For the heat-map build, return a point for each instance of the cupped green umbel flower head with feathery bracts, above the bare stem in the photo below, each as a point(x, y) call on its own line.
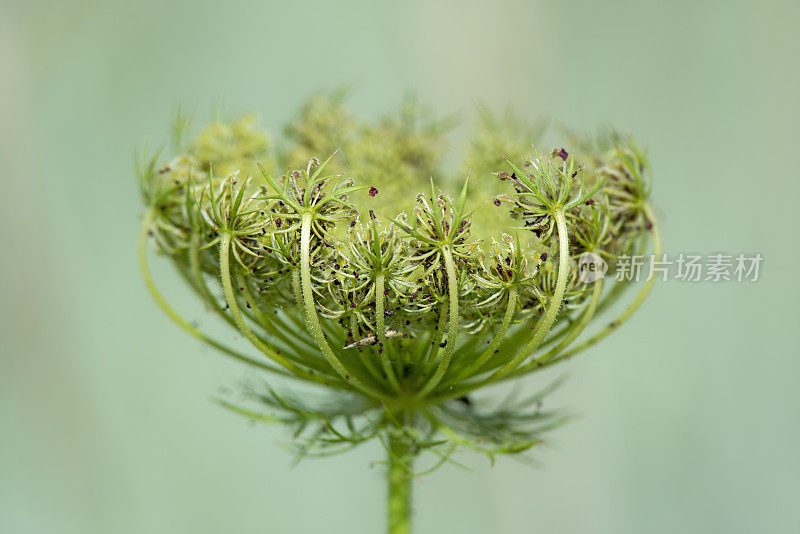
point(321, 270)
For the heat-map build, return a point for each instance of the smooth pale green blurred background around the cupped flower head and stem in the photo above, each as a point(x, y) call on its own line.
point(688, 416)
